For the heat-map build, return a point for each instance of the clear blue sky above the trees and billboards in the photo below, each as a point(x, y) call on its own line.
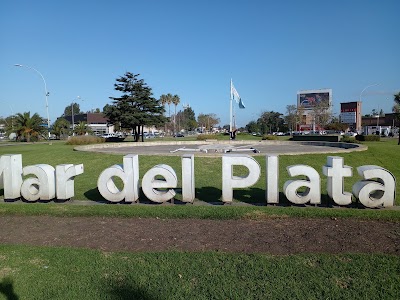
point(271, 50)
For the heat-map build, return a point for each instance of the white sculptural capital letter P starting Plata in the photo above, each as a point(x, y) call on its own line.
point(229, 181)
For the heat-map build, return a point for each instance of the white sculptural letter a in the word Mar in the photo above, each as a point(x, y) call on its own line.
point(41, 187)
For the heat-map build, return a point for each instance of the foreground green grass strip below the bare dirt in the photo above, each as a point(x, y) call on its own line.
point(64, 273)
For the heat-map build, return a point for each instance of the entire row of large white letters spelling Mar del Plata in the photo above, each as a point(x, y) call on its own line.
point(376, 189)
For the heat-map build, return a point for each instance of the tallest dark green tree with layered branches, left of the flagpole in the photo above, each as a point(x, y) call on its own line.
point(136, 107)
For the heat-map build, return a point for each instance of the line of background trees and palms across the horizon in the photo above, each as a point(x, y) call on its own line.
point(136, 108)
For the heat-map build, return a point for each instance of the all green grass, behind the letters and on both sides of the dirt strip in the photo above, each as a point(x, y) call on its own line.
point(66, 273)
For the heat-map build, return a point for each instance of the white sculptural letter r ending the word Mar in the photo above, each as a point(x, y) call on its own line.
point(65, 175)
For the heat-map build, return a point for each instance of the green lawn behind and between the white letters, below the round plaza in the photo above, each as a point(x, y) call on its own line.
point(208, 171)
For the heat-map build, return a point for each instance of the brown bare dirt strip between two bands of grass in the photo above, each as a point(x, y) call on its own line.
point(278, 236)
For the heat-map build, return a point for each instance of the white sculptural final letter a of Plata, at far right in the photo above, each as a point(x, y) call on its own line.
point(378, 189)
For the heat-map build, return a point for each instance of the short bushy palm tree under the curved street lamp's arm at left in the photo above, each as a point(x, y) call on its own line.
point(28, 126)
